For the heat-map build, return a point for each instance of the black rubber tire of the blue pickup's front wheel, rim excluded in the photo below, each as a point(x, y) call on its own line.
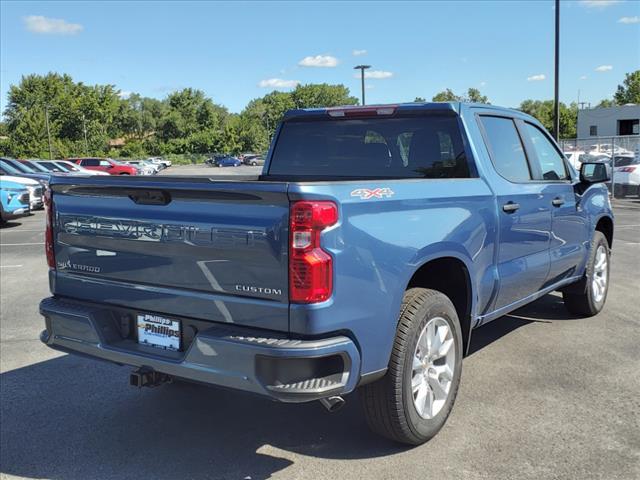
point(580, 299)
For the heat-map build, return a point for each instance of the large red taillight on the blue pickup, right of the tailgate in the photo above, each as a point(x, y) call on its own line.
point(310, 267)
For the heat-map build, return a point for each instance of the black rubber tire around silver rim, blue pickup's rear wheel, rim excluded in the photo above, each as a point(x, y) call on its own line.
point(388, 403)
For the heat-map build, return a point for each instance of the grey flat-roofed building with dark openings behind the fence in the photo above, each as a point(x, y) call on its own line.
point(609, 122)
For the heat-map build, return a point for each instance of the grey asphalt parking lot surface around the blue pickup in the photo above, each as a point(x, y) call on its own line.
point(543, 395)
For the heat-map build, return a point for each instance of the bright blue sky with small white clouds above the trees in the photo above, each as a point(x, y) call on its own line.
point(238, 51)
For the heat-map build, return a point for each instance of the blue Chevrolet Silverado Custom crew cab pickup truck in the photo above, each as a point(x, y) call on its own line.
point(374, 242)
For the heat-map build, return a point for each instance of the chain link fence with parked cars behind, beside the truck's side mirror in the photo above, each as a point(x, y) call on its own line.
point(620, 152)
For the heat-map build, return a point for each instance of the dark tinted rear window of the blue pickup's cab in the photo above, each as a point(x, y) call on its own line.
point(403, 147)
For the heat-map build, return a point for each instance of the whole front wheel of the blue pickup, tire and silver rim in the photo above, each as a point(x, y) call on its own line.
point(588, 297)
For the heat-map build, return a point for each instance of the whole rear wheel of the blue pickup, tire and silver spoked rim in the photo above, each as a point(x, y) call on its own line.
point(411, 403)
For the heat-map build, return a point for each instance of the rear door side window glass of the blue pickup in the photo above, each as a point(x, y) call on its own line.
point(506, 148)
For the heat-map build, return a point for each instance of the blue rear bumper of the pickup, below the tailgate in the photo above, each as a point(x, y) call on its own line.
point(260, 362)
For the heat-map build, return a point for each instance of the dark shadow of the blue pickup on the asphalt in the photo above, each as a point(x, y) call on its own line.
point(71, 418)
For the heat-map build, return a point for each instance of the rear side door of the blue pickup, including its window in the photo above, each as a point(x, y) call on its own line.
point(523, 211)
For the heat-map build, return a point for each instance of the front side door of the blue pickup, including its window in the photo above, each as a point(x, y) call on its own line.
point(567, 246)
